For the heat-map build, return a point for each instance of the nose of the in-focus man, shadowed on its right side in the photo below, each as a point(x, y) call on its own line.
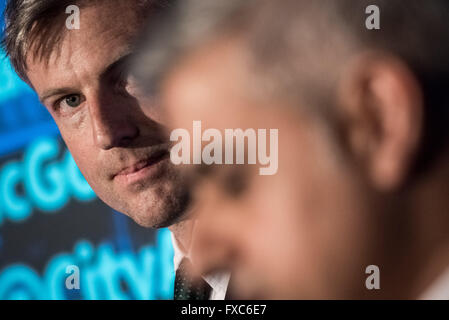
point(112, 124)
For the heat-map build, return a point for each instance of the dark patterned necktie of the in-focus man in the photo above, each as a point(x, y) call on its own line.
point(188, 289)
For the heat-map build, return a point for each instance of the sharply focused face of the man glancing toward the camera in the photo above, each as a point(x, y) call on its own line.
point(114, 134)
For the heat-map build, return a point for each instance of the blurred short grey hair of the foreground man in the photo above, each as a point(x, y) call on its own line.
point(299, 46)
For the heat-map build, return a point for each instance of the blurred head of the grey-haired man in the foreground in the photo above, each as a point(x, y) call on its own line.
point(362, 117)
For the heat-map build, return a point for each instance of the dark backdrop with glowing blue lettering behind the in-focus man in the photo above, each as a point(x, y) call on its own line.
point(50, 218)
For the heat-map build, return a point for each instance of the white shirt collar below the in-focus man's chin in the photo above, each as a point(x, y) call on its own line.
point(218, 281)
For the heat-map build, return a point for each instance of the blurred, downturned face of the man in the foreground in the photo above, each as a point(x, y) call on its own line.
point(300, 233)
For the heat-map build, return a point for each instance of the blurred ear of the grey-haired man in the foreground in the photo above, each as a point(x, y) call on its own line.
point(382, 102)
